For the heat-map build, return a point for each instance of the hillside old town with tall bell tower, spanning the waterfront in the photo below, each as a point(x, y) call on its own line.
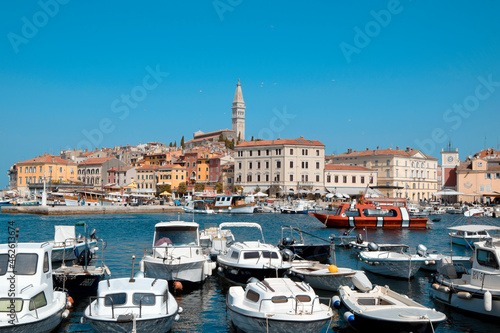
point(224, 161)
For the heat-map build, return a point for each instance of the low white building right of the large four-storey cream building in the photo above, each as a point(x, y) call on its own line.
point(350, 179)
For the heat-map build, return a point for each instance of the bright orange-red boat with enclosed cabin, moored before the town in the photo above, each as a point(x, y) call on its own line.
point(372, 214)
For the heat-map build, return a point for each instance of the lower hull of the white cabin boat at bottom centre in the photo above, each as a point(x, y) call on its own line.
point(251, 324)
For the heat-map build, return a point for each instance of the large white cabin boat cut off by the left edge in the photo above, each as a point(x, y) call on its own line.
point(27, 297)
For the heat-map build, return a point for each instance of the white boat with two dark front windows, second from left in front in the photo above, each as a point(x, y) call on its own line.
point(132, 305)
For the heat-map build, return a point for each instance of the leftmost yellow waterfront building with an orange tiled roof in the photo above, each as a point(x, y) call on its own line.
point(47, 167)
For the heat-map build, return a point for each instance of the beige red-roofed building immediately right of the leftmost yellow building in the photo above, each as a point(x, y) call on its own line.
point(94, 171)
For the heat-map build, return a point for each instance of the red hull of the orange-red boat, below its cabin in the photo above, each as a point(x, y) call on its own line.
point(338, 221)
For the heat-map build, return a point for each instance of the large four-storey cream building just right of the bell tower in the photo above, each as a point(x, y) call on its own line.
point(280, 165)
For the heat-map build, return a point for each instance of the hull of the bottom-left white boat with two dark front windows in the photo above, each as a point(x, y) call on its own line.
point(153, 325)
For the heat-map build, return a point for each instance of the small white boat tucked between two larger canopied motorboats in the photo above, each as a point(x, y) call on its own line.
point(216, 239)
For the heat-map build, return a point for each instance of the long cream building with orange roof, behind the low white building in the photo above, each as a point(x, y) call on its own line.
point(401, 173)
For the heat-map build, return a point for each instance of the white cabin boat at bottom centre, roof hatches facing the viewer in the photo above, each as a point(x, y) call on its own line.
point(277, 305)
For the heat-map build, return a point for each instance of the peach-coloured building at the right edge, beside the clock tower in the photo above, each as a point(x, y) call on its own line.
point(479, 180)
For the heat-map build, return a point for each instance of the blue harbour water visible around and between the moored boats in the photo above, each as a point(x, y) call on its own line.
point(204, 307)
